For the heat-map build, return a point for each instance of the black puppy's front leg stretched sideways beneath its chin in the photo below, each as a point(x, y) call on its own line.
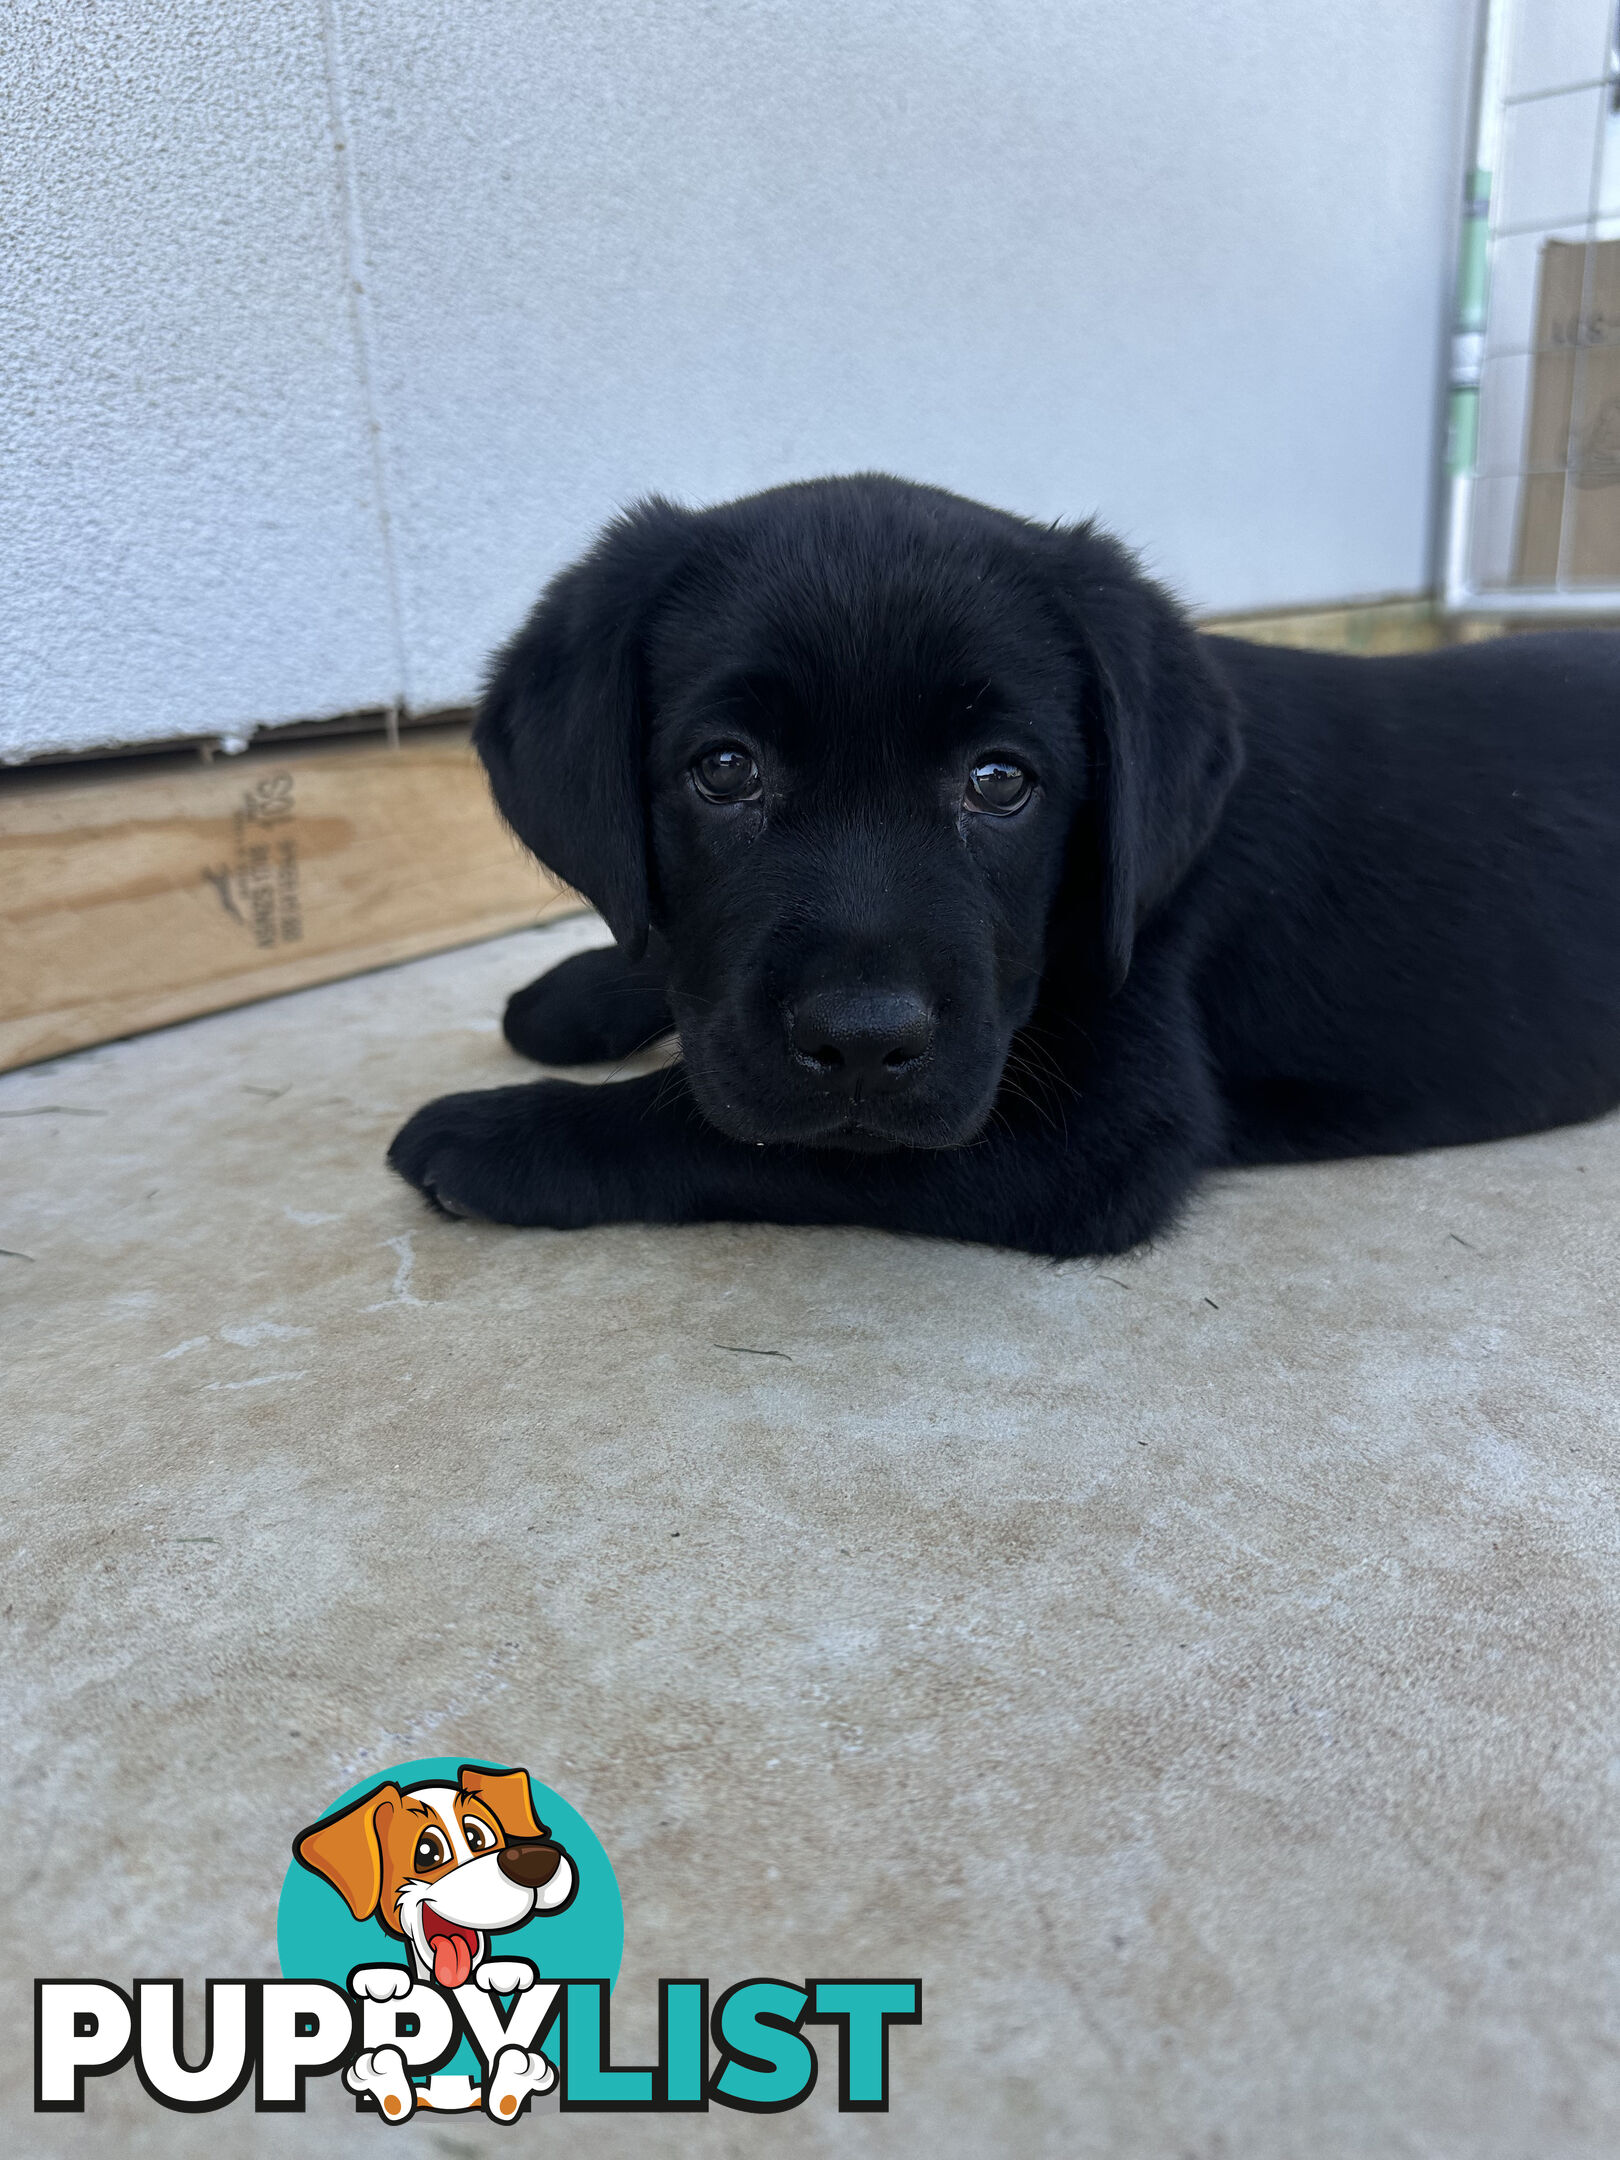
point(569, 1157)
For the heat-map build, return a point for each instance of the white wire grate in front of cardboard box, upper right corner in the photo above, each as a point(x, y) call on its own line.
point(1533, 450)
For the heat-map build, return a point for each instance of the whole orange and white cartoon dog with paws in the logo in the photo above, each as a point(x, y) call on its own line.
point(444, 1867)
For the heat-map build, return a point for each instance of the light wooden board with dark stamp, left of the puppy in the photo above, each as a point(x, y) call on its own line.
point(148, 891)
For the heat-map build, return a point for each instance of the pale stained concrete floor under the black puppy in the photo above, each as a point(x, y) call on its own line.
point(1200, 1669)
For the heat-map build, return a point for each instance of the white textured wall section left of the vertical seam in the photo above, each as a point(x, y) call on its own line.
point(189, 535)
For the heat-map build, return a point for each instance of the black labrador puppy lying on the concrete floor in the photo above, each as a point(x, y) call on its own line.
point(995, 902)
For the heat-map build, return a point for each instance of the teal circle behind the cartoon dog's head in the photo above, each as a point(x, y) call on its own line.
point(319, 1939)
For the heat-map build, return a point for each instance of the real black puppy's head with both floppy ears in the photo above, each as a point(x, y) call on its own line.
point(843, 746)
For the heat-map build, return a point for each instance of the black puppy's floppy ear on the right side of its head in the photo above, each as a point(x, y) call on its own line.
point(1163, 733)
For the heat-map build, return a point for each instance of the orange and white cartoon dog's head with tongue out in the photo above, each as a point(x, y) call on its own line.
point(444, 1865)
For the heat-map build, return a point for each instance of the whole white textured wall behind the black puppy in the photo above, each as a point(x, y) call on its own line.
point(1174, 262)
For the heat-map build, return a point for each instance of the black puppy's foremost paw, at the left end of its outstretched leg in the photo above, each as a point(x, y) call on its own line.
point(511, 1155)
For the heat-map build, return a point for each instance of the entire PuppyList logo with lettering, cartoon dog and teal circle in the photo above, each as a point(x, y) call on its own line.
point(450, 1939)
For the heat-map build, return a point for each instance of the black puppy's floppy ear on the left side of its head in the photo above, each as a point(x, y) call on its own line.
point(561, 727)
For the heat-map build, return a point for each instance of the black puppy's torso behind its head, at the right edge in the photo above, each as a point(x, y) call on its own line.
point(1409, 923)
